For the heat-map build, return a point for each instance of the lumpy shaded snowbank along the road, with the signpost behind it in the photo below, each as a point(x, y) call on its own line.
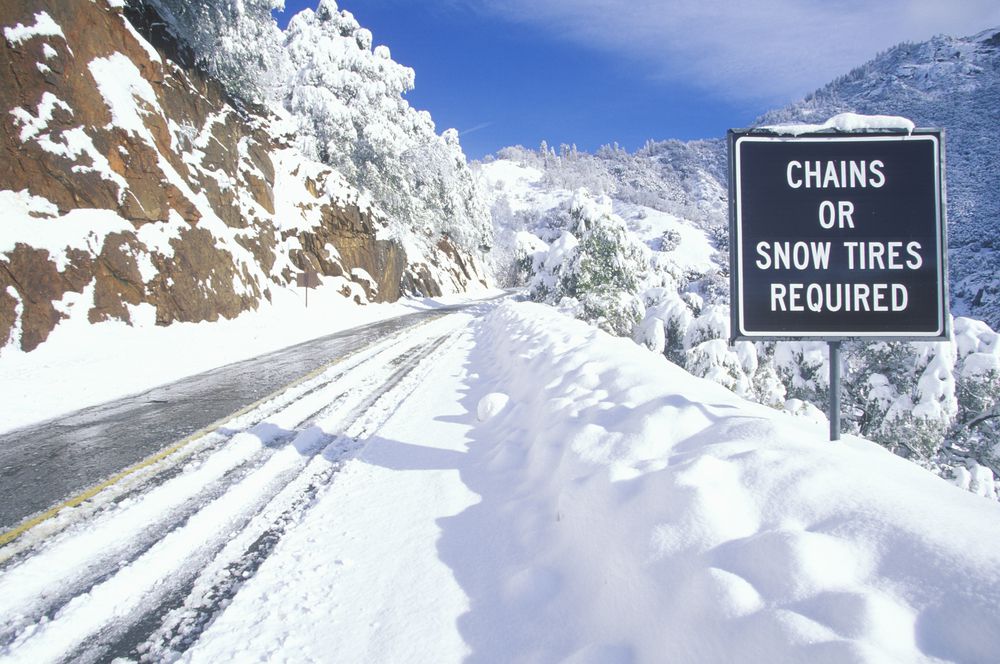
point(648, 515)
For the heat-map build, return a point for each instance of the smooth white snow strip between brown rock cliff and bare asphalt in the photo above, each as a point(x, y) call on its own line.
point(82, 364)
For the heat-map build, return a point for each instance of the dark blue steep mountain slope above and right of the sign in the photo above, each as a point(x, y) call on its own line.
point(952, 83)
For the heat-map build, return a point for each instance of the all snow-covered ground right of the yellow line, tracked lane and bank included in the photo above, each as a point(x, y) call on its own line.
point(517, 488)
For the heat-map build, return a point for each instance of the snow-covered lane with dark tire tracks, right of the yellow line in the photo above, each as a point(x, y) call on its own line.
point(148, 562)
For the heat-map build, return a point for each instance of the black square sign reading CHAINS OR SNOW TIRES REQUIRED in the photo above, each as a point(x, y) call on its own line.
point(837, 235)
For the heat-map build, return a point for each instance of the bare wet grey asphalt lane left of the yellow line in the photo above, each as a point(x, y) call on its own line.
point(46, 463)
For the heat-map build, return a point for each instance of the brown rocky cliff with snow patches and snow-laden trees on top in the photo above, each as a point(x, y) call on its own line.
point(138, 188)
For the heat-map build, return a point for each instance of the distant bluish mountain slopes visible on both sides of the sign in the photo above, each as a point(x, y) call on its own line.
point(947, 82)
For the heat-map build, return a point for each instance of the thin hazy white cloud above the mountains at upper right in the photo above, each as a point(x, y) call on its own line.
point(759, 50)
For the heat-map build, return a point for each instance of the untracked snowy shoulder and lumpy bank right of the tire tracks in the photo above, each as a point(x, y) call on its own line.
point(615, 509)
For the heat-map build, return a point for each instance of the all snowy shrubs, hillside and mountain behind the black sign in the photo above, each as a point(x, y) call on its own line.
point(934, 403)
